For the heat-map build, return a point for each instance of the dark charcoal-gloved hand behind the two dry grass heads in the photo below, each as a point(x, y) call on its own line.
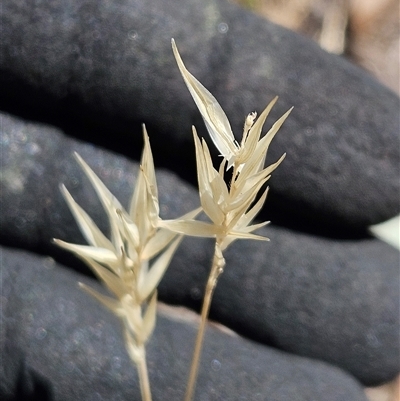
point(321, 291)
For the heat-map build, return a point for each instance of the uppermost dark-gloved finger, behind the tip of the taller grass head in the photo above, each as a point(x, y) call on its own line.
point(108, 67)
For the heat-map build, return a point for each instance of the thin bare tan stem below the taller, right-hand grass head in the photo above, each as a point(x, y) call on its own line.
point(216, 270)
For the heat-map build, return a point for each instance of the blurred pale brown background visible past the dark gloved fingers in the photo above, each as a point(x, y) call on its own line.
point(367, 33)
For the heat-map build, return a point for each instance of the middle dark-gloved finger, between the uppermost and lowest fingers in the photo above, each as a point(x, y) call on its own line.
point(335, 300)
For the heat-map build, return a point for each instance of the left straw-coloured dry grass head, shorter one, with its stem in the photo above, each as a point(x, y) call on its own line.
point(122, 263)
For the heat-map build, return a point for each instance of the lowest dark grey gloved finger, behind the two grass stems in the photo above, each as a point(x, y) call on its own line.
point(59, 344)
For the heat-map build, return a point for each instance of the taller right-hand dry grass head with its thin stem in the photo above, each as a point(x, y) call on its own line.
point(230, 207)
